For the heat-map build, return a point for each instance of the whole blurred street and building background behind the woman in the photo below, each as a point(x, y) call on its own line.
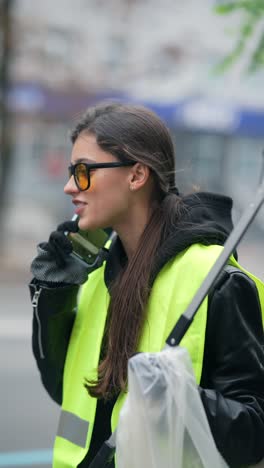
point(199, 64)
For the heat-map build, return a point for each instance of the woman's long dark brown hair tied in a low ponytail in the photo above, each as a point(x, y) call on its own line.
point(132, 133)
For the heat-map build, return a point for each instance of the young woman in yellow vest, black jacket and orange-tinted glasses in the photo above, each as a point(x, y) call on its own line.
point(122, 176)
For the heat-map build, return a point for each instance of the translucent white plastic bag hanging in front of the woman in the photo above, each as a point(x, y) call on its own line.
point(163, 423)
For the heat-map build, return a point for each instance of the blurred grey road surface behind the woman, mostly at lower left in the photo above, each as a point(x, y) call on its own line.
point(28, 415)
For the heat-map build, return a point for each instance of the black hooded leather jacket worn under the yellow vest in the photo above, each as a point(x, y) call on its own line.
point(232, 383)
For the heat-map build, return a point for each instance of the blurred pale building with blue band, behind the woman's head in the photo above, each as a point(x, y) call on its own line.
point(67, 55)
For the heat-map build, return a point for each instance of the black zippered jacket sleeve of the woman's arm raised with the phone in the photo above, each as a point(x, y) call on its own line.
point(53, 318)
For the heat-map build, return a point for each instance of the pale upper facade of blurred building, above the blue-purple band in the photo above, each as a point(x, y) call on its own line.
point(150, 48)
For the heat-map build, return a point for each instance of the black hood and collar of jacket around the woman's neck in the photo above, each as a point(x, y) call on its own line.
point(207, 221)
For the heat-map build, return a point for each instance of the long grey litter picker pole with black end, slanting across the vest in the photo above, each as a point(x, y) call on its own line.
point(107, 450)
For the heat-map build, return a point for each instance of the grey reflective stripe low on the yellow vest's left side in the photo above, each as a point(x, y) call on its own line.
point(73, 428)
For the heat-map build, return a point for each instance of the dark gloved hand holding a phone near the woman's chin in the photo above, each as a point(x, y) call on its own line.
point(54, 264)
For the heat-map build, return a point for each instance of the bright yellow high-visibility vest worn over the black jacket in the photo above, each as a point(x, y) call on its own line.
point(172, 291)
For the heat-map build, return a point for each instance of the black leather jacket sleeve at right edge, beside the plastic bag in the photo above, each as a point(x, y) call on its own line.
point(232, 384)
